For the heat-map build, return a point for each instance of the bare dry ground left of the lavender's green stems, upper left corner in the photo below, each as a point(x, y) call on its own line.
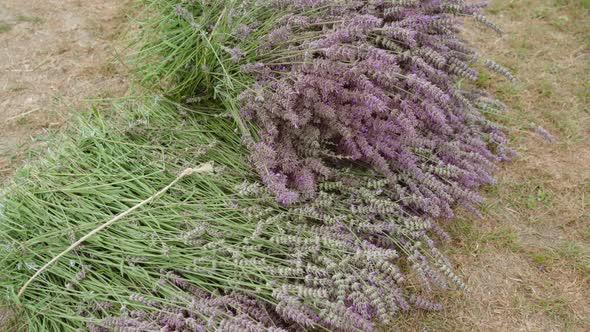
point(53, 54)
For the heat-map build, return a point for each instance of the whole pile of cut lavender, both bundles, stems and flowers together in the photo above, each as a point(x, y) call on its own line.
point(340, 131)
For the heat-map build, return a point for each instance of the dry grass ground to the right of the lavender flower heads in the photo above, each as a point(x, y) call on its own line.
point(528, 260)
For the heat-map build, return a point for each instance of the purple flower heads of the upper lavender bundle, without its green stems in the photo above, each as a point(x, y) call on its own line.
point(372, 82)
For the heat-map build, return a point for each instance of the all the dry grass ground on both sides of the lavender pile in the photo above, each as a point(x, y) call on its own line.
point(527, 262)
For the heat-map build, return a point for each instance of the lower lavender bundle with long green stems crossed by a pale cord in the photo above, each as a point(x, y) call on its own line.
point(216, 252)
